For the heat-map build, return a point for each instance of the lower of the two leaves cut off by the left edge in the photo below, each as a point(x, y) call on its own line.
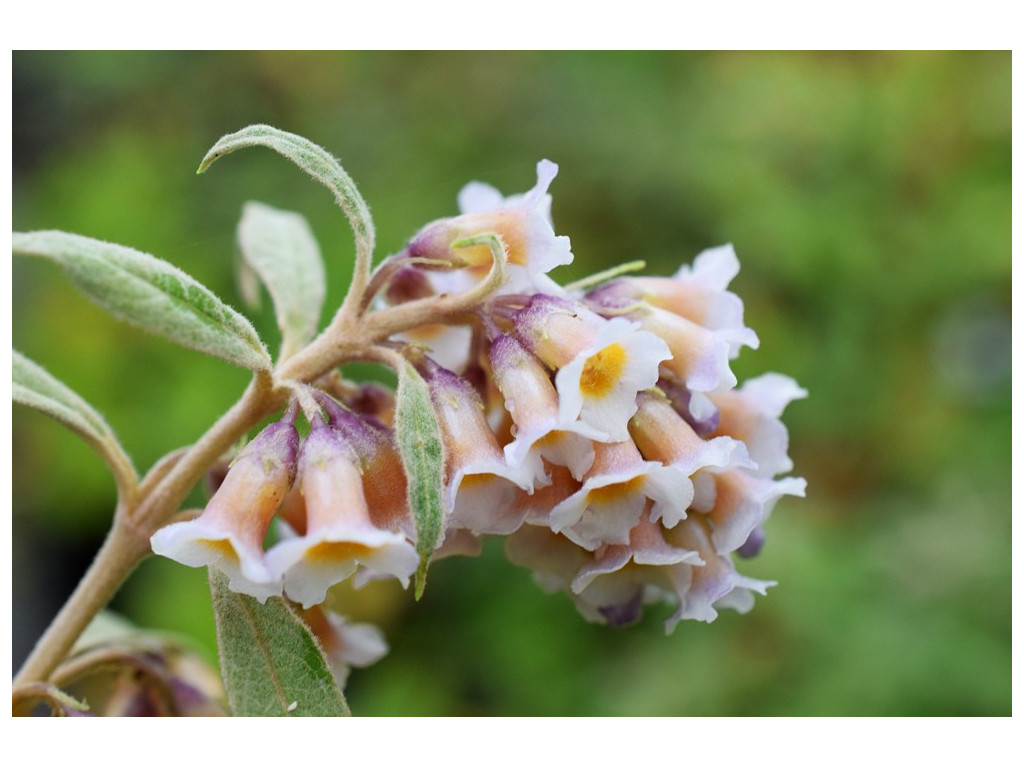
point(34, 388)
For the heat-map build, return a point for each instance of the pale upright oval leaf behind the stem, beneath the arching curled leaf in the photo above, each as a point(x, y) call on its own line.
point(280, 248)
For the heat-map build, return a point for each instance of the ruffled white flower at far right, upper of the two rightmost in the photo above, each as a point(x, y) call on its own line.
point(752, 414)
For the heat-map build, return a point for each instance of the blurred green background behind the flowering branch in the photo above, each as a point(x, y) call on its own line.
point(869, 200)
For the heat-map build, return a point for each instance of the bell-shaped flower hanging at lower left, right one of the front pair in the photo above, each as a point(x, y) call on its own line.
point(340, 535)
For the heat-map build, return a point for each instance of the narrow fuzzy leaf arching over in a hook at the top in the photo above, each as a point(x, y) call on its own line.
point(318, 163)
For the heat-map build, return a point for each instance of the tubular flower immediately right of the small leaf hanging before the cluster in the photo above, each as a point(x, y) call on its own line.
point(482, 488)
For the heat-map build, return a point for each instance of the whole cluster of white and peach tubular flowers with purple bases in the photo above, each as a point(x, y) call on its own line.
point(599, 429)
